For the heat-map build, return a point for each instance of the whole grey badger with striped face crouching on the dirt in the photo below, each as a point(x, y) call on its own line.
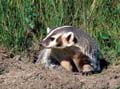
point(71, 48)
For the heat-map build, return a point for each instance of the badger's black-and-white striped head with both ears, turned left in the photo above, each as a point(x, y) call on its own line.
point(59, 38)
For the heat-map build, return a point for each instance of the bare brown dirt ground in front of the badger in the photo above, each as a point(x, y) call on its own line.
point(17, 74)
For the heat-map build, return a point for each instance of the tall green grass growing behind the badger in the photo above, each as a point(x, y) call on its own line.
point(24, 21)
